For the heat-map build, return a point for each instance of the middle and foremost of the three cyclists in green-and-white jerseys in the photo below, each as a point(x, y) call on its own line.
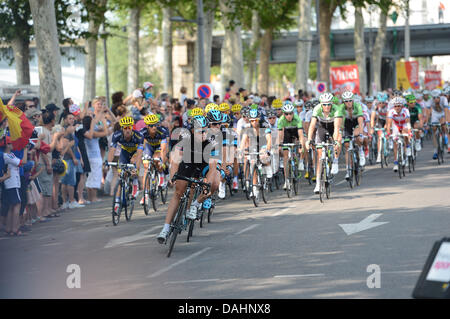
point(328, 118)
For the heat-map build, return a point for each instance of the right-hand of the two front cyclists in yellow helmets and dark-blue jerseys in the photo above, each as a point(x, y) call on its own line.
point(156, 138)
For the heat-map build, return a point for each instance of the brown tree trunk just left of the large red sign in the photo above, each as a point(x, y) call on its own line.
point(326, 10)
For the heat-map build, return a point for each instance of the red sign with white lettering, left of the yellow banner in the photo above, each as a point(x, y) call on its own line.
point(345, 78)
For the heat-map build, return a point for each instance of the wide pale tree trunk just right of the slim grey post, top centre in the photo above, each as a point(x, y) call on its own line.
point(232, 65)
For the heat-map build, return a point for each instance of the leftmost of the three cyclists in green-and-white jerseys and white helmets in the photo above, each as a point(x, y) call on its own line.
point(290, 130)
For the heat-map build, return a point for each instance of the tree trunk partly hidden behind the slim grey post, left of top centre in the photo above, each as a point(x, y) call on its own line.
point(207, 47)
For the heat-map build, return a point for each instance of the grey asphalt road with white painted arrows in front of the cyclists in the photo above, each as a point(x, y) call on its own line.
point(289, 248)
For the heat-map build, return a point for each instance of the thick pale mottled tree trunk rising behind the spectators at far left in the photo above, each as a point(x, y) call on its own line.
point(47, 47)
